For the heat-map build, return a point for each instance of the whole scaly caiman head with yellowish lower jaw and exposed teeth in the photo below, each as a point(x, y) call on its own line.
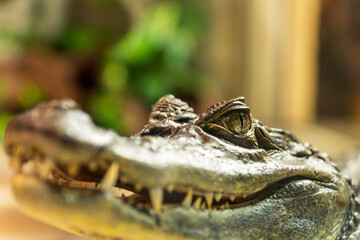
point(217, 175)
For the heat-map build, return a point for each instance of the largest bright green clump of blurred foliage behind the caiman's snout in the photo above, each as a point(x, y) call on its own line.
point(155, 58)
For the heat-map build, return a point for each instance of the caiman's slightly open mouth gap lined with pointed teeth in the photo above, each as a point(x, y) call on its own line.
point(109, 179)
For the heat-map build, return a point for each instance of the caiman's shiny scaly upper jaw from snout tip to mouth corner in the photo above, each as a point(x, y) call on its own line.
point(66, 137)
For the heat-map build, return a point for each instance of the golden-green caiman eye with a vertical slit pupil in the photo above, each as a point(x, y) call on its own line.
point(235, 121)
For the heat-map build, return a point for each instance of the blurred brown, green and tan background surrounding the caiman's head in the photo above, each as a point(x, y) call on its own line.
point(296, 62)
